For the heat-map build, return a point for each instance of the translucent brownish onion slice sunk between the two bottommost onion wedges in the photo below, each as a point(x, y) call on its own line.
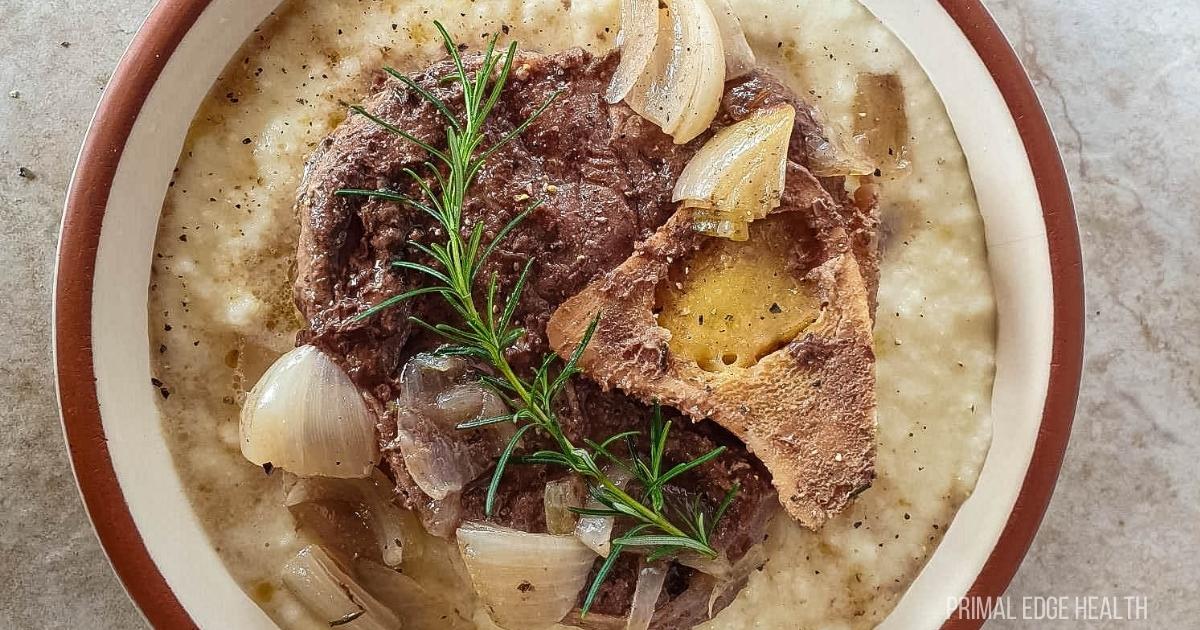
point(422, 609)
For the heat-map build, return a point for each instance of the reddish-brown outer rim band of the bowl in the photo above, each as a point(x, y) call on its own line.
point(139, 71)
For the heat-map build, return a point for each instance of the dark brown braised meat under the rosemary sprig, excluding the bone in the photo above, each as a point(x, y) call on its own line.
point(605, 177)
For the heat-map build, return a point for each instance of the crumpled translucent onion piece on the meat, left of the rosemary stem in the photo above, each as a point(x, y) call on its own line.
point(442, 459)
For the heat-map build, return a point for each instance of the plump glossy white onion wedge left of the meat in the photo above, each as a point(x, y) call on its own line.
point(307, 417)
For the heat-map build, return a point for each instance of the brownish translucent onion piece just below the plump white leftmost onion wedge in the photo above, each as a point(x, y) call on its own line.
point(364, 502)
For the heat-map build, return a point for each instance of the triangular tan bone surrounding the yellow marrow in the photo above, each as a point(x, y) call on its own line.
point(807, 410)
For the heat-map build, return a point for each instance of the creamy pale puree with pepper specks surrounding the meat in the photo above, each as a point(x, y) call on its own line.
point(225, 293)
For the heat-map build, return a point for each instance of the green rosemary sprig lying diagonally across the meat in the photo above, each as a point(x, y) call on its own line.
point(488, 331)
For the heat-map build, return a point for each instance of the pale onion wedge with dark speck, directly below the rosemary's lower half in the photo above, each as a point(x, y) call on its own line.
point(526, 581)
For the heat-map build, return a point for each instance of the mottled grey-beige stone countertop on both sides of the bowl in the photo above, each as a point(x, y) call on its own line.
point(1121, 82)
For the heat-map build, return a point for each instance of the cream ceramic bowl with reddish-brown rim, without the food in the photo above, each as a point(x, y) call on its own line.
point(125, 473)
